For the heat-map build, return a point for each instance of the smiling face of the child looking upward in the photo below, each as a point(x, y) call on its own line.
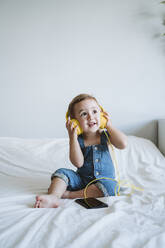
point(87, 112)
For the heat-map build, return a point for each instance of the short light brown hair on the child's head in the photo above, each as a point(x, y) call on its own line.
point(78, 99)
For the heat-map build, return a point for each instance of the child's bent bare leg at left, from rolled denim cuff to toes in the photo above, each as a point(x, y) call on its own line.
point(55, 192)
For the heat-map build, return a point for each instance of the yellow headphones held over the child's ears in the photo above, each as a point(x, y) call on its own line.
point(103, 121)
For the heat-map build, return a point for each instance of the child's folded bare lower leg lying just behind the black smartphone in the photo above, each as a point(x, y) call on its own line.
point(92, 191)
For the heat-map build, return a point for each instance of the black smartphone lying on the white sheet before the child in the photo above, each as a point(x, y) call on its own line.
point(91, 203)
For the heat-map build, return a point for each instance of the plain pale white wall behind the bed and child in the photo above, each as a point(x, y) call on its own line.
point(53, 50)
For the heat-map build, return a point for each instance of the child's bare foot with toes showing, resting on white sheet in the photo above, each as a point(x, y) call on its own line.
point(47, 201)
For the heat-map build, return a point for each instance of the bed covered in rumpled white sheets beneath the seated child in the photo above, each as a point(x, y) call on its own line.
point(134, 221)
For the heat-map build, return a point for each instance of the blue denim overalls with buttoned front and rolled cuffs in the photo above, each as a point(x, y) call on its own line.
point(97, 164)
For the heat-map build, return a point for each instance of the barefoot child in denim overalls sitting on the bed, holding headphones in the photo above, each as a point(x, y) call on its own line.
point(89, 152)
